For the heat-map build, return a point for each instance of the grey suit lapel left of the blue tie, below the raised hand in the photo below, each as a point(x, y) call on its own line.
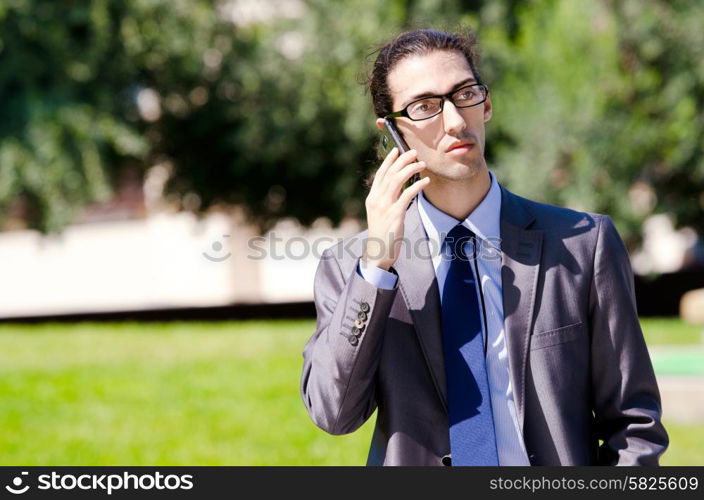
point(419, 287)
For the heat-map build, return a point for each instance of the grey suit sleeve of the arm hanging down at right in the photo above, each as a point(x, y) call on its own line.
point(627, 406)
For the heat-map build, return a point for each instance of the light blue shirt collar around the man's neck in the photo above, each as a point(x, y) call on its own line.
point(484, 221)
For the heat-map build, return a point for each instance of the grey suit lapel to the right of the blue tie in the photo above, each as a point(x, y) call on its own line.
point(521, 252)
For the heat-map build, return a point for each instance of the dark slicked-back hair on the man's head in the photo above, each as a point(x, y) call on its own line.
point(416, 42)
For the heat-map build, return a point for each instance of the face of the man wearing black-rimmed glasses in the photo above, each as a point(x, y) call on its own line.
point(439, 73)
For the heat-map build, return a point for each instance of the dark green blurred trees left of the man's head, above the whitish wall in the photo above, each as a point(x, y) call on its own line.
point(269, 114)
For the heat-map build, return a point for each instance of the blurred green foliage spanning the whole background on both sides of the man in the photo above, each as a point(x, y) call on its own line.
point(598, 105)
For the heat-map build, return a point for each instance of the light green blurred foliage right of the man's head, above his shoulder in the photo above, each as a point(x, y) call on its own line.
point(599, 107)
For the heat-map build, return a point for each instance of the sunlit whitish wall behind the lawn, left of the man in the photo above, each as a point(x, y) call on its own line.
point(167, 260)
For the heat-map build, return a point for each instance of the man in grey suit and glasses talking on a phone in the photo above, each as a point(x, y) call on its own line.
point(485, 328)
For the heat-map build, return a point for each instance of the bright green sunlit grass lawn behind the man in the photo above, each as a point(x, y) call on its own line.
point(181, 394)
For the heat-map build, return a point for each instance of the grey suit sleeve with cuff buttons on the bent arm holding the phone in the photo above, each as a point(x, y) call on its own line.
point(340, 363)
